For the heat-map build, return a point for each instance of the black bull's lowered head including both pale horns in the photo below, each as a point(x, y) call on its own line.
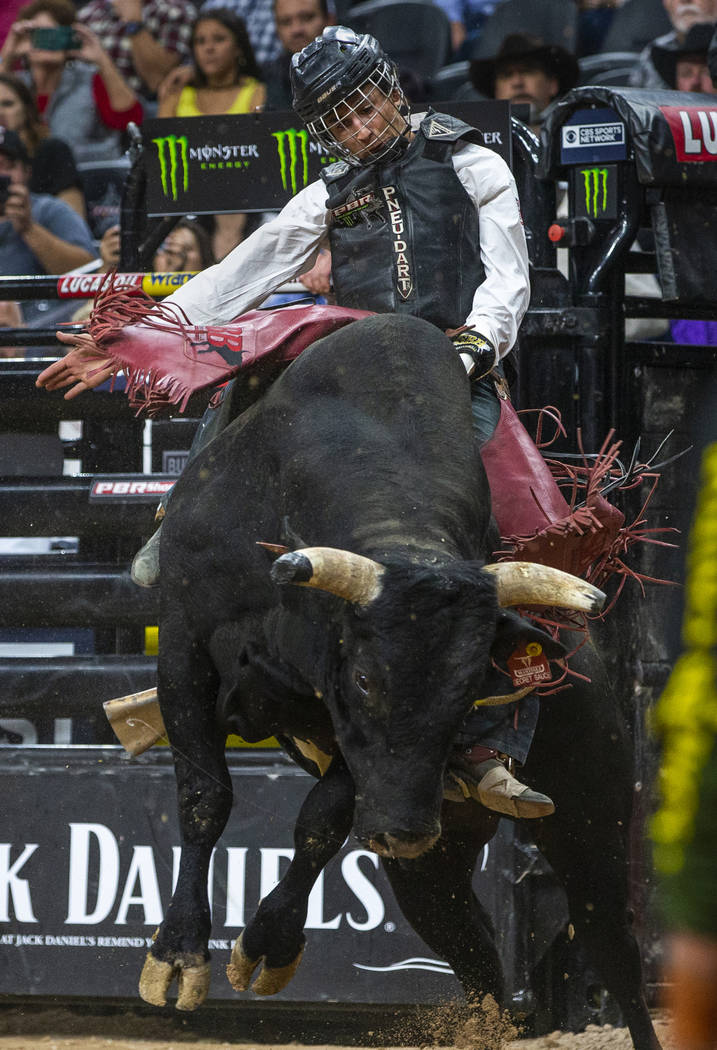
point(415, 653)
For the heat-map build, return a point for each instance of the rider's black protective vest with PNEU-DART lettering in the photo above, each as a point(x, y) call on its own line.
point(405, 236)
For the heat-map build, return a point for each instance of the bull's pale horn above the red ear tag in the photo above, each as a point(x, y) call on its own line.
point(528, 583)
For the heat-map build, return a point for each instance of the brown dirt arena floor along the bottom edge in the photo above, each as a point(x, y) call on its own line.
point(28, 1028)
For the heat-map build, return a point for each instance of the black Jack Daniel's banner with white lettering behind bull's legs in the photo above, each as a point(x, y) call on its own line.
point(90, 849)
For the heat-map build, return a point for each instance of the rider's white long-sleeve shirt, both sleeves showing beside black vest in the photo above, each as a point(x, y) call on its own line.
point(288, 245)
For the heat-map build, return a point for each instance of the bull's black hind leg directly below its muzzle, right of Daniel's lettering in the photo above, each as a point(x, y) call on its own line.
point(435, 894)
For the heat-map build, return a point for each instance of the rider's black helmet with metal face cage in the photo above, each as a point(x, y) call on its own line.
point(342, 69)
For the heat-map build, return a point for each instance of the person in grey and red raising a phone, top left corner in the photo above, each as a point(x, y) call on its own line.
point(78, 90)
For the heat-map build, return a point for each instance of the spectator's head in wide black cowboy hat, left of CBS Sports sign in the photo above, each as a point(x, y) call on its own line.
point(526, 71)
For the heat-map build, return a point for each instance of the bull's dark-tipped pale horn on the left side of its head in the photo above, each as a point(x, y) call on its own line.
point(342, 573)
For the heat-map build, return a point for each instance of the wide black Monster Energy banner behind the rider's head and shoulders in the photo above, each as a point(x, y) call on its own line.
point(258, 162)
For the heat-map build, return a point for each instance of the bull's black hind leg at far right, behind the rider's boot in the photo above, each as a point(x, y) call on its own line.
point(586, 841)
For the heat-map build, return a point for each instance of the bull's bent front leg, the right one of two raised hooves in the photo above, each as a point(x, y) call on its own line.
point(276, 935)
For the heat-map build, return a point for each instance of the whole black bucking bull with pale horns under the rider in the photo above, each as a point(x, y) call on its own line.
point(365, 445)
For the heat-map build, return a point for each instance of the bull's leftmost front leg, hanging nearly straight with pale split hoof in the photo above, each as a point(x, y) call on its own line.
point(187, 690)
